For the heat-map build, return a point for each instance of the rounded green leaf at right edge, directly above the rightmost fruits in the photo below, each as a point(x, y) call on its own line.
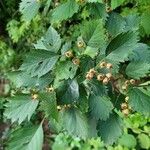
point(138, 69)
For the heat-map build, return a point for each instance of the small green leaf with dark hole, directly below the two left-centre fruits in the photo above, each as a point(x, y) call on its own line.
point(65, 70)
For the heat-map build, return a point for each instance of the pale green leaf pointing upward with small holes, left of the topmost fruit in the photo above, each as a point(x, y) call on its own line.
point(51, 41)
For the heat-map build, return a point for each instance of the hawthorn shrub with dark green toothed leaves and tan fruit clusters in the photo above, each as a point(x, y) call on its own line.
point(86, 73)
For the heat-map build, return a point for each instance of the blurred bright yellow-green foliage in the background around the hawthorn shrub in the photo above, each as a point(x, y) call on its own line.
point(16, 38)
